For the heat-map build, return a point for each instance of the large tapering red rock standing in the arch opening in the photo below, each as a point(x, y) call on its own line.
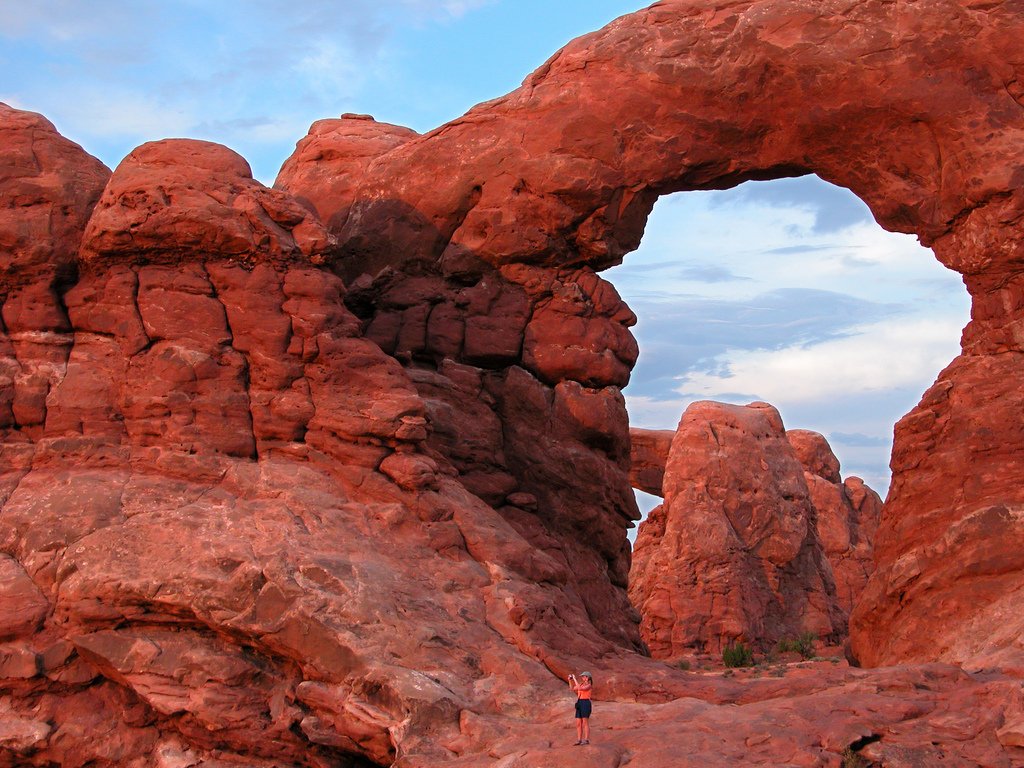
point(734, 553)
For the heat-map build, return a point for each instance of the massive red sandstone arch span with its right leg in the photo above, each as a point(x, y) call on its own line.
point(918, 108)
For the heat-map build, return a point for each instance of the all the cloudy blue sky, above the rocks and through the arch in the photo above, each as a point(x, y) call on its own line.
point(785, 291)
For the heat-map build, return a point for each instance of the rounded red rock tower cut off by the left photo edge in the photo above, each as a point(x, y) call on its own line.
point(49, 187)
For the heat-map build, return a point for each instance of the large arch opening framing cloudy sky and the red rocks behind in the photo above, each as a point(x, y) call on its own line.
point(779, 292)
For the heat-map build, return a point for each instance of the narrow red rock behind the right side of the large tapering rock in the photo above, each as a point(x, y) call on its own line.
point(847, 515)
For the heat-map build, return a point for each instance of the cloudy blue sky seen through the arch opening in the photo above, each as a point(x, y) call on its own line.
point(842, 327)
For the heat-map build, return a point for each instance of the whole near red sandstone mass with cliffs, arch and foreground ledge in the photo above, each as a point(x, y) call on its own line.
point(336, 475)
